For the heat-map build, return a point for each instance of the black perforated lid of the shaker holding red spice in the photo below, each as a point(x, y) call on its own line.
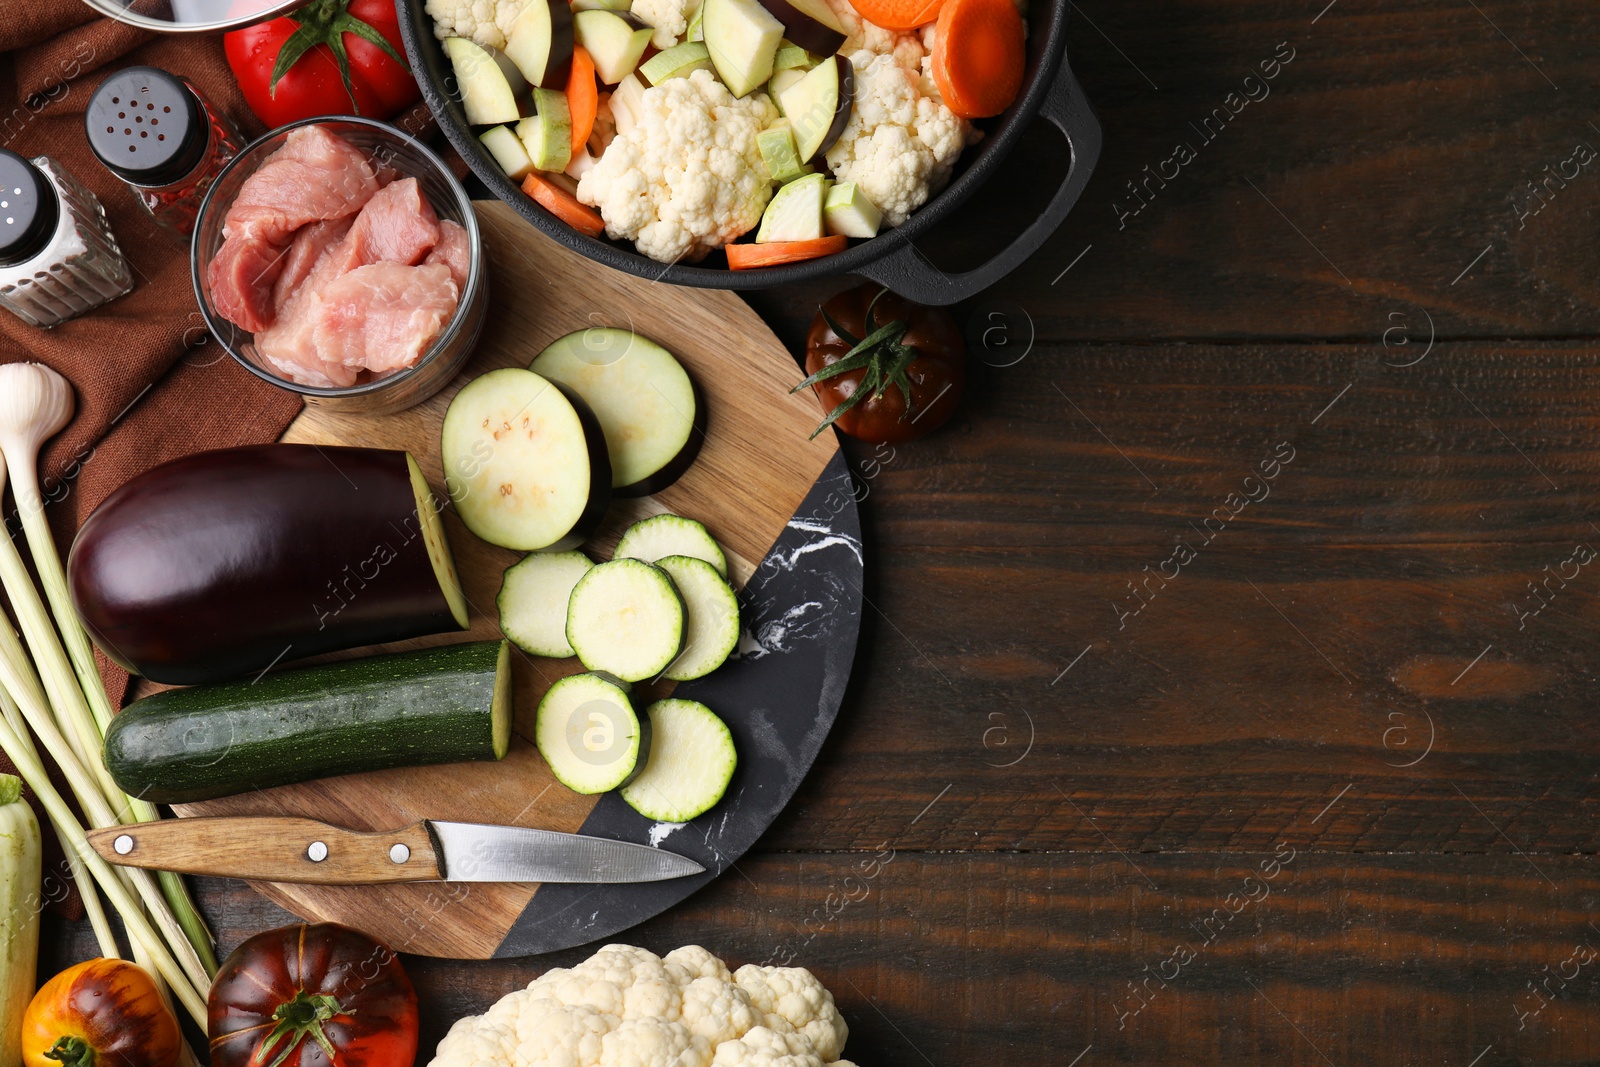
point(146, 127)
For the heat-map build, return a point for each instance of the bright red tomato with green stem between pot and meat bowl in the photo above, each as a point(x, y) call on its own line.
point(290, 70)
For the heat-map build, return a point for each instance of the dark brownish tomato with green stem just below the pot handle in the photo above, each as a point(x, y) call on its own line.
point(886, 370)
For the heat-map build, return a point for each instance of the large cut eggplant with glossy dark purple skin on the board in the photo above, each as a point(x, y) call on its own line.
point(230, 562)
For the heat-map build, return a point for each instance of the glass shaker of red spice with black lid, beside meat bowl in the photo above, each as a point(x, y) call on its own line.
point(159, 135)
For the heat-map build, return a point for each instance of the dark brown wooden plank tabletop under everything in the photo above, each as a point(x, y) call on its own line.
point(1319, 786)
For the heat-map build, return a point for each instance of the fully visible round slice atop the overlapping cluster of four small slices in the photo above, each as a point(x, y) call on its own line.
point(626, 618)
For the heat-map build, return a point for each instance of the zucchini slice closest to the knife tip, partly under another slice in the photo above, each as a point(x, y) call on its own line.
point(692, 761)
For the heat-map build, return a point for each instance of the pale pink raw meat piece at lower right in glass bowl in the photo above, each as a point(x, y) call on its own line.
point(385, 316)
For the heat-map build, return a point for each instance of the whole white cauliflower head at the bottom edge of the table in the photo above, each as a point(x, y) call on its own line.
point(628, 1007)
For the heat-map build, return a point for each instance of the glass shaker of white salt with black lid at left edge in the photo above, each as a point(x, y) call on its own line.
point(58, 258)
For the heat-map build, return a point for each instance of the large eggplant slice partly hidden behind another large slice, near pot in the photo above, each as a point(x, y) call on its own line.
point(647, 406)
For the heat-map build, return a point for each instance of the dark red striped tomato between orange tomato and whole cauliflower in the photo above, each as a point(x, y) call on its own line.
point(319, 996)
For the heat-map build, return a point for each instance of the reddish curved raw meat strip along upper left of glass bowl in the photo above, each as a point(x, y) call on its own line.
point(314, 177)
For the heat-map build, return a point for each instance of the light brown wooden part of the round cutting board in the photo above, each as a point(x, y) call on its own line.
point(754, 471)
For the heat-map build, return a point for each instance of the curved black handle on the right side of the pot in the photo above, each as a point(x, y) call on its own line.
point(913, 276)
